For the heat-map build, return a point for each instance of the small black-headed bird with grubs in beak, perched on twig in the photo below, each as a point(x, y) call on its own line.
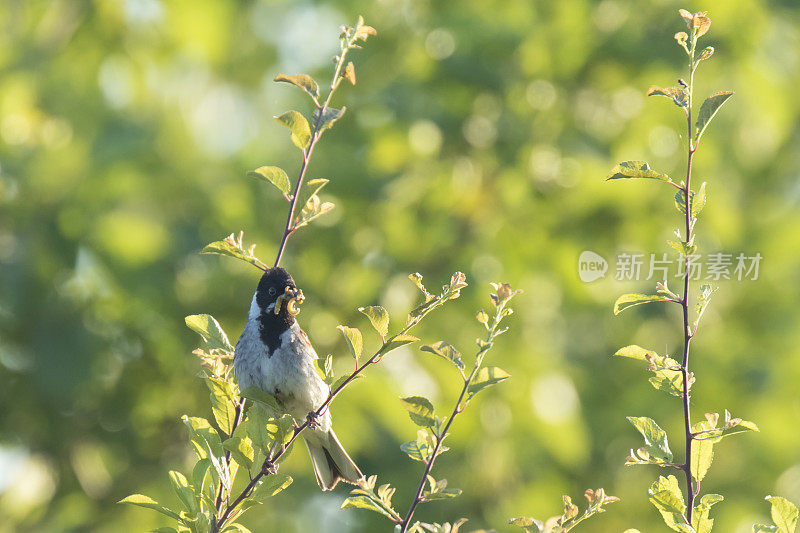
point(275, 355)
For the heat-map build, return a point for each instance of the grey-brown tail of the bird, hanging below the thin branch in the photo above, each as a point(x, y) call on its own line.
point(330, 461)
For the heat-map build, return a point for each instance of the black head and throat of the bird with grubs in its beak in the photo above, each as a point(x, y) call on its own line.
point(278, 299)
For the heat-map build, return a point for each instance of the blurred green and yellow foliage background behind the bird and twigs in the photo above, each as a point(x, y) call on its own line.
point(476, 139)
